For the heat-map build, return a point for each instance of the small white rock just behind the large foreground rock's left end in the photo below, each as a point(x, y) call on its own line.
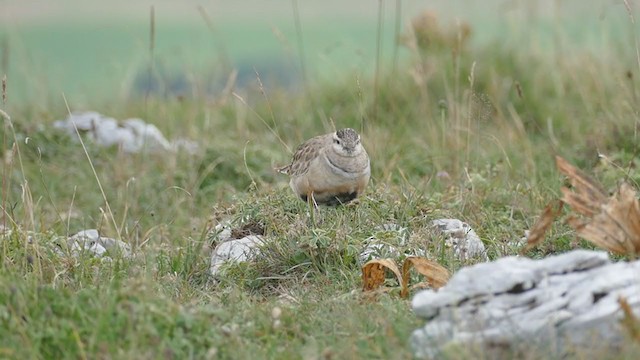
point(462, 238)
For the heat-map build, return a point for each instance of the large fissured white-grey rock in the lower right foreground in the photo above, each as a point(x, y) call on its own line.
point(565, 299)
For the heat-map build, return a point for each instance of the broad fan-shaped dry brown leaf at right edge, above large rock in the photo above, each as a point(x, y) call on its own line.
point(617, 227)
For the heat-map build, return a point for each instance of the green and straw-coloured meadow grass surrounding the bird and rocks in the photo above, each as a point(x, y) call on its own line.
point(458, 131)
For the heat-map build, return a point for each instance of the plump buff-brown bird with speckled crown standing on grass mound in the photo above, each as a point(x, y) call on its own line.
point(330, 169)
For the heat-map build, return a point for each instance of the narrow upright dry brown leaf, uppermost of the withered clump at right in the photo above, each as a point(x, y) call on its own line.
point(587, 197)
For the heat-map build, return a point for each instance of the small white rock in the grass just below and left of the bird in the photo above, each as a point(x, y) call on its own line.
point(238, 250)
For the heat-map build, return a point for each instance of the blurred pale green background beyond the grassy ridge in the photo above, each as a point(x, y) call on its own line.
point(96, 51)
